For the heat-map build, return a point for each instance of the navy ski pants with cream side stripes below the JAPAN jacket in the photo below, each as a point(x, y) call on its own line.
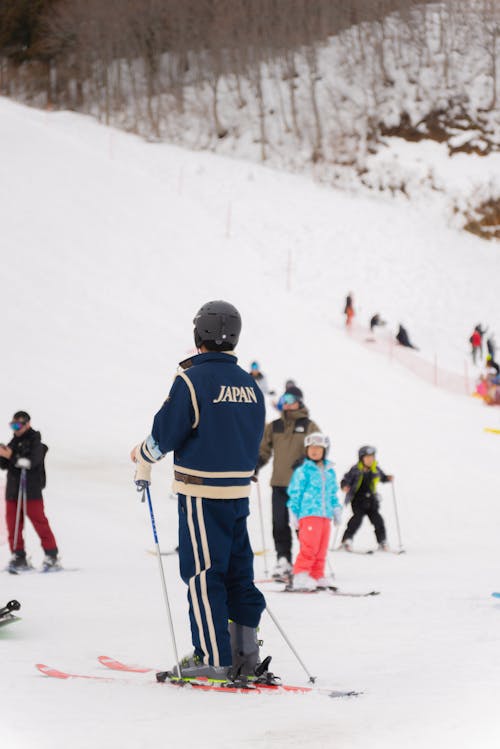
point(216, 562)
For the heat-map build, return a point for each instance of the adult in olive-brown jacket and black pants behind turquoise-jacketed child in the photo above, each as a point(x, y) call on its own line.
point(285, 438)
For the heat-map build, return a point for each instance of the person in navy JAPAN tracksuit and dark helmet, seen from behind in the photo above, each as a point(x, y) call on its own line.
point(213, 420)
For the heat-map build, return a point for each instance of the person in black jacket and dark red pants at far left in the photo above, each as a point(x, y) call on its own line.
point(23, 460)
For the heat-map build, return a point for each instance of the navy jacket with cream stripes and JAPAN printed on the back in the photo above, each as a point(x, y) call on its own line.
point(213, 420)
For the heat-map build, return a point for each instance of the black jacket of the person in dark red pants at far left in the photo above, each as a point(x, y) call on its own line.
point(28, 445)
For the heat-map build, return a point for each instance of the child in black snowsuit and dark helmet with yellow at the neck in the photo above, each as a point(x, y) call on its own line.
point(360, 483)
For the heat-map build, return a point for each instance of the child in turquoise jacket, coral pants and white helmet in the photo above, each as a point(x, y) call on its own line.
point(312, 503)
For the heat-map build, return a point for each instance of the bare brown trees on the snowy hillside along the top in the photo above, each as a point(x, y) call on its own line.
point(311, 78)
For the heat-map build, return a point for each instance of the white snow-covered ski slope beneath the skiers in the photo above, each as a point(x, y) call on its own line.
point(108, 247)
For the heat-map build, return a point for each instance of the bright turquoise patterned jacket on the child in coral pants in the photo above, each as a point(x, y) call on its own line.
point(313, 490)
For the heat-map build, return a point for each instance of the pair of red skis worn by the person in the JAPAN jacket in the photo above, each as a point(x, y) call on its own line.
point(199, 684)
